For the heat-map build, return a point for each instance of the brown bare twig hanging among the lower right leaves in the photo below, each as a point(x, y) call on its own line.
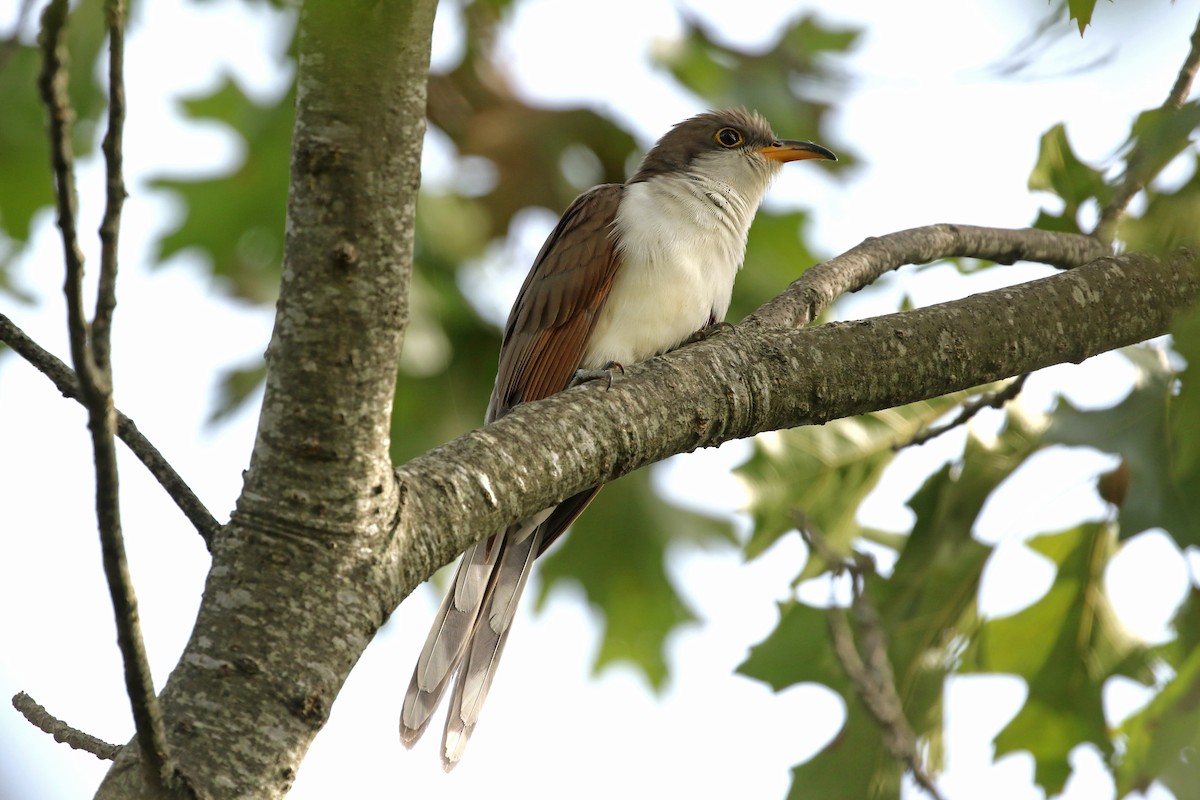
point(873, 677)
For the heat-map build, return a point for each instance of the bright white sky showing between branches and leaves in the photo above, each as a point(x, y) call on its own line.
point(941, 142)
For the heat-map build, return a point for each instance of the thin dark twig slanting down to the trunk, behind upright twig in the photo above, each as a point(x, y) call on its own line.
point(65, 381)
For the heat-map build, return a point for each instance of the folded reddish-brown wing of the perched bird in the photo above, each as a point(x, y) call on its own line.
point(559, 304)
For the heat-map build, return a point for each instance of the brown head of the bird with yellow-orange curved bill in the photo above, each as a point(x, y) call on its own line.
point(735, 147)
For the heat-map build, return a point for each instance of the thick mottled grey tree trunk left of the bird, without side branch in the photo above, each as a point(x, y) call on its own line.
point(289, 606)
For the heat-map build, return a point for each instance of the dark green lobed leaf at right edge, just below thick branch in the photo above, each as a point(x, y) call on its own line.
point(1149, 431)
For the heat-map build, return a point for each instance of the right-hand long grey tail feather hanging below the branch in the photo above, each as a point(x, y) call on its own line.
point(488, 645)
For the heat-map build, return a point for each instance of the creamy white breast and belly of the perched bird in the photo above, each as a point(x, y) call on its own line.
point(682, 244)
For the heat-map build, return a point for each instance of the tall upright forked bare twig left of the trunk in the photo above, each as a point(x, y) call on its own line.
point(91, 354)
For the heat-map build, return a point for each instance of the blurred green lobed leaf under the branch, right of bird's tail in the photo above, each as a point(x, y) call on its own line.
point(617, 554)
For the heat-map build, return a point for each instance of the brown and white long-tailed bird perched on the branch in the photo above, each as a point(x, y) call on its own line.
point(631, 272)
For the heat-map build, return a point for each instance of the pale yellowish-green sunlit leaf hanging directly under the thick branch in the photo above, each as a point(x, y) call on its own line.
point(826, 472)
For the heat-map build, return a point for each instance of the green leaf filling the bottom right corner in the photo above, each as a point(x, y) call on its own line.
point(1163, 739)
